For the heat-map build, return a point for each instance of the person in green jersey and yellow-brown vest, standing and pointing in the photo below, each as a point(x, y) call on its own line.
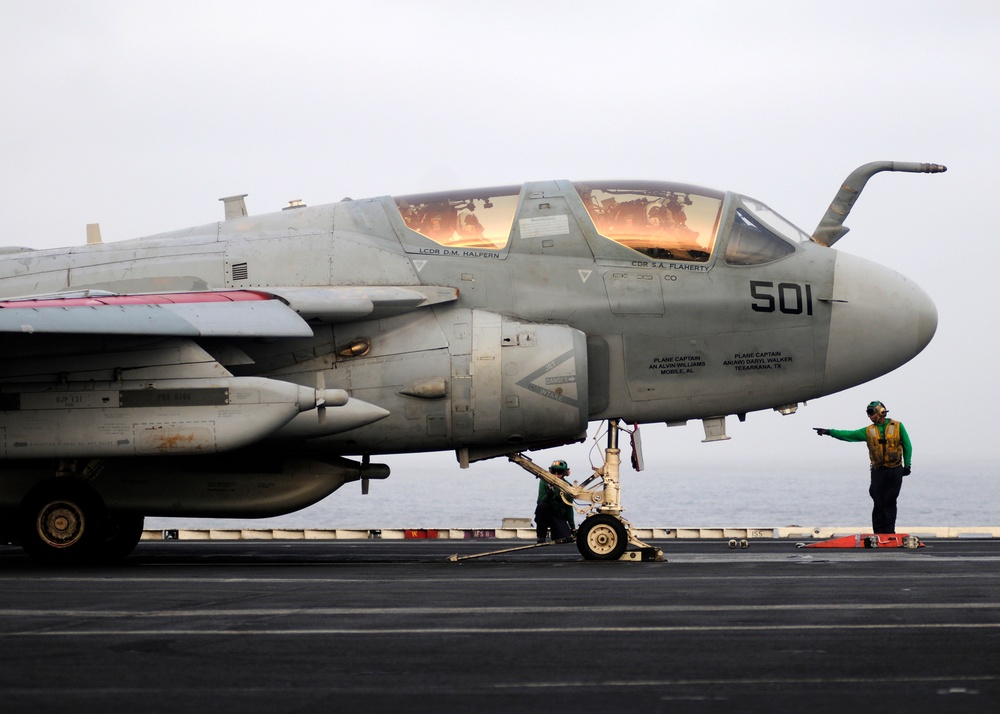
point(890, 451)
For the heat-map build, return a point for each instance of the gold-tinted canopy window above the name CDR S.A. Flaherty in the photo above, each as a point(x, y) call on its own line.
point(660, 220)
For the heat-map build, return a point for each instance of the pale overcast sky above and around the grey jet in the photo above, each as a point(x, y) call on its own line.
point(140, 115)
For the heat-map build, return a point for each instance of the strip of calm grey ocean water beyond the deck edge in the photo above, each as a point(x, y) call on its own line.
point(431, 491)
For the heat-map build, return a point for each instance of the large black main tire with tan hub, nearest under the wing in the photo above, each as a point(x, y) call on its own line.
point(62, 521)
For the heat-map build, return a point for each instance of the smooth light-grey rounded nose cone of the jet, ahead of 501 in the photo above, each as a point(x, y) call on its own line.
point(880, 320)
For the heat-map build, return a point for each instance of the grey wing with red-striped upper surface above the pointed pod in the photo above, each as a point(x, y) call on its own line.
point(279, 312)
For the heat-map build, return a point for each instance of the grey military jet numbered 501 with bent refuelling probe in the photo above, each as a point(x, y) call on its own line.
point(231, 369)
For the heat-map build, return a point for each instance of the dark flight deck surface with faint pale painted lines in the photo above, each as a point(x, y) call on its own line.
point(393, 625)
